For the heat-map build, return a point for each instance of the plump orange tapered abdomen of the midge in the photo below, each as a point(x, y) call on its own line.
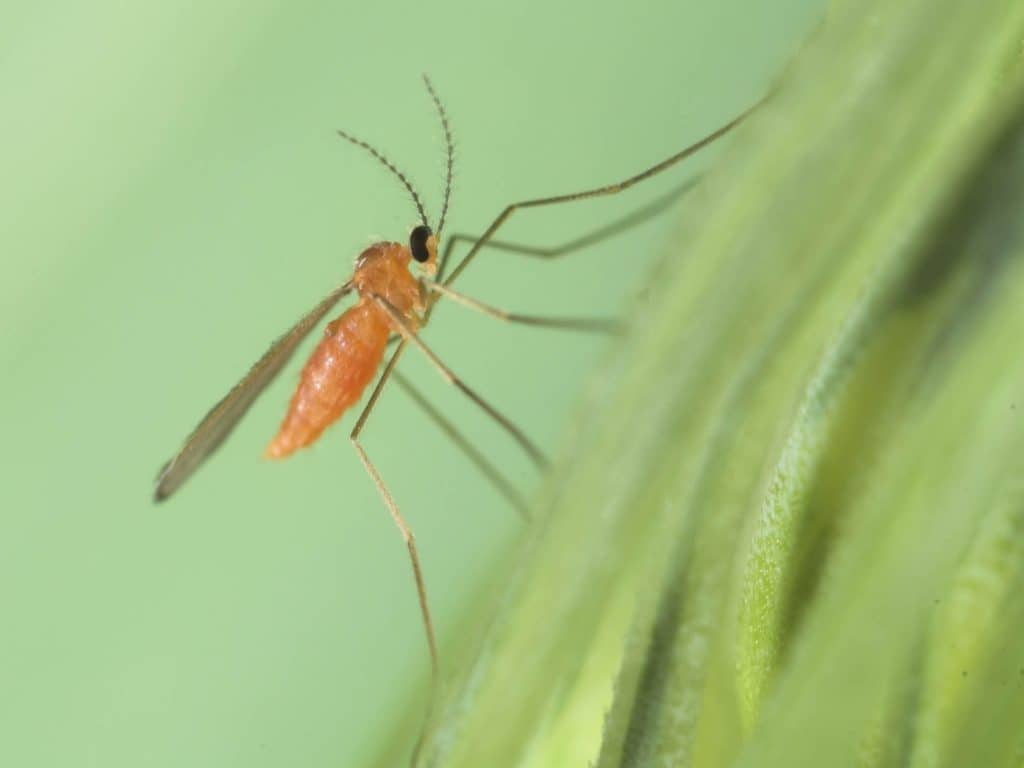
point(342, 367)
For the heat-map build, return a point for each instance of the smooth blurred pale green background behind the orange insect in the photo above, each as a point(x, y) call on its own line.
point(174, 199)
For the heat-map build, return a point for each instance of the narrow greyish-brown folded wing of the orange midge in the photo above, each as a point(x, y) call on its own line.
point(223, 418)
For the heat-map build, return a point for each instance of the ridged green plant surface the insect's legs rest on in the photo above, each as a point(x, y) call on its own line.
point(788, 529)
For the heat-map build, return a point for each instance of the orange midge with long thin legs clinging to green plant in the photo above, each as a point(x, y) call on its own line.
point(393, 307)
